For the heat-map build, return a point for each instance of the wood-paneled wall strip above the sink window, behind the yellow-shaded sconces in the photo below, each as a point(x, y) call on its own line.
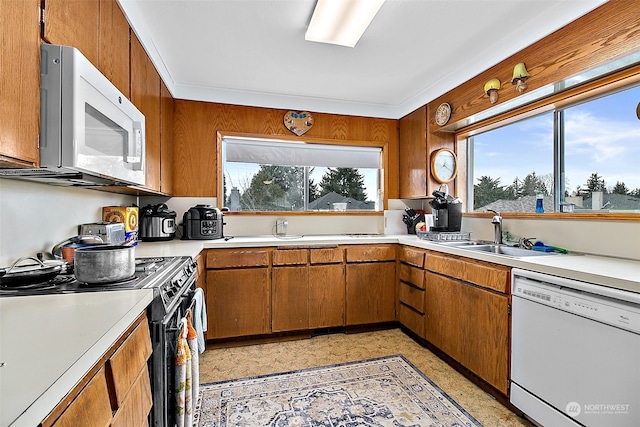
point(608, 32)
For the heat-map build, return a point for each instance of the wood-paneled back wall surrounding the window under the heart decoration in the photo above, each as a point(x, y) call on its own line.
point(197, 124)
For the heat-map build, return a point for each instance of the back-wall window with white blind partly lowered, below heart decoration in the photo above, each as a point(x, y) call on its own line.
point(263, 175)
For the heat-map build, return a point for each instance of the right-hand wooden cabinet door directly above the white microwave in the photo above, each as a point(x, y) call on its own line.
point(113, 42)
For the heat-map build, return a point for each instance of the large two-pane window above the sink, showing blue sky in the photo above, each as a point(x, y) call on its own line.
point(581, 158)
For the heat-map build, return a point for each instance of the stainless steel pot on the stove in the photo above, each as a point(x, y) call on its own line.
point(104, 264)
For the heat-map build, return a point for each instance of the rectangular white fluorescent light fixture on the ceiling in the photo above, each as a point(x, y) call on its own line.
point(341, 22)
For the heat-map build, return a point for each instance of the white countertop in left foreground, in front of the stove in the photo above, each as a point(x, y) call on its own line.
point(48, 343)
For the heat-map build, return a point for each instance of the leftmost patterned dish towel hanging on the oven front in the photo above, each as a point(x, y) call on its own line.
point(183, 378)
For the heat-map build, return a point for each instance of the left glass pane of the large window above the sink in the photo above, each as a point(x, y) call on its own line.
point(511, 165)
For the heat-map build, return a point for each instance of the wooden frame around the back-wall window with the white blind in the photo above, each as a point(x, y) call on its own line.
point(384, 175)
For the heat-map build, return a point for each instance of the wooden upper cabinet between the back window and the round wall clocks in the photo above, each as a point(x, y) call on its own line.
point(413, 159)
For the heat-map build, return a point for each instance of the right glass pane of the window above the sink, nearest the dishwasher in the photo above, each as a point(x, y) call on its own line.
point(602, 153)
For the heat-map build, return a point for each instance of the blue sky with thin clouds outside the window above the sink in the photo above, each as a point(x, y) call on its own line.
point(601, 136)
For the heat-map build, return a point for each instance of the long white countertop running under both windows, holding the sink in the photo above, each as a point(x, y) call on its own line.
point(606, 271)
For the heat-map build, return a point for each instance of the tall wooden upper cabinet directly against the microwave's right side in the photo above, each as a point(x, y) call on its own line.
point(145, 94)
